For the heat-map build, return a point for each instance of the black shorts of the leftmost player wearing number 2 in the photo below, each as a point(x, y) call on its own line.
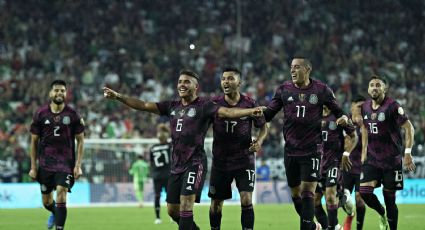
point(49, 180)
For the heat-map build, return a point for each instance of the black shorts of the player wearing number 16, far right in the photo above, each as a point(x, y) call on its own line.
point(391, 179)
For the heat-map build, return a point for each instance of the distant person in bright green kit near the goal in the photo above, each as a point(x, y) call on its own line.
point(139, 170)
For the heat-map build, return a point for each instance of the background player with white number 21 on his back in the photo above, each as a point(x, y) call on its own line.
point(160, 155)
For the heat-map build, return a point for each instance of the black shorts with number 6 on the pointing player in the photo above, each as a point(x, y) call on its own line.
point(187, 183)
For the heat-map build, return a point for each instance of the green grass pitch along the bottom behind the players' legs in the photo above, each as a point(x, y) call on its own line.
point(267, 217)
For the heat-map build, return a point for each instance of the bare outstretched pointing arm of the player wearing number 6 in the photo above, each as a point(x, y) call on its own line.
point(130, 101)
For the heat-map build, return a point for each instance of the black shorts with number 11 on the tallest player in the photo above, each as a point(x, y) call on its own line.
point(303, 168)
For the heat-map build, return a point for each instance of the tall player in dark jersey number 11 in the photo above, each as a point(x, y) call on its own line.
point(301, 101)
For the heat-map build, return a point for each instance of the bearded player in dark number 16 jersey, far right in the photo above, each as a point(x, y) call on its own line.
point(383, 119)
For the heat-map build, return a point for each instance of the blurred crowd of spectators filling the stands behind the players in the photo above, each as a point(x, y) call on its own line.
point(138, 48)
